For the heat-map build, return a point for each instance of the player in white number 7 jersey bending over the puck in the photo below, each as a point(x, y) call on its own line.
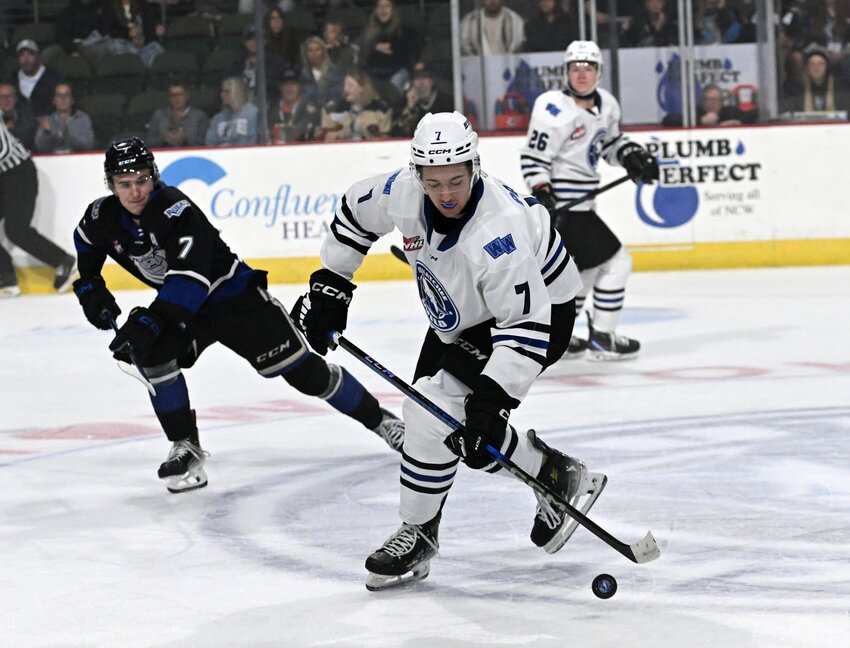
point(498, 288)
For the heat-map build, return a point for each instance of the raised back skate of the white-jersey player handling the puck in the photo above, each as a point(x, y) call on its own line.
point(571, 480)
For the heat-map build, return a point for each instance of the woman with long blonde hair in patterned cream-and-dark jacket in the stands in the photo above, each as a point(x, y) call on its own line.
point(360, 114)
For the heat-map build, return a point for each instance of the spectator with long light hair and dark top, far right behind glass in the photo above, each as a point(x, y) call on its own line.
point(820, 90)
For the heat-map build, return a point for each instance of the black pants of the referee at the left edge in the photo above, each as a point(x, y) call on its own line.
point(18, 190)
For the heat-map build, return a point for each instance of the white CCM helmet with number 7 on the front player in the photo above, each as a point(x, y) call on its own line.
point(444, 138)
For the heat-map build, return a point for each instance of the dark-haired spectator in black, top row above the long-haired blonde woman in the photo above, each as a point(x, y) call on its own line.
point(386, 48)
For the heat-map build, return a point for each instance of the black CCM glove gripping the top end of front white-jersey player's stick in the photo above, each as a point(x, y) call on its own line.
point(324, 308)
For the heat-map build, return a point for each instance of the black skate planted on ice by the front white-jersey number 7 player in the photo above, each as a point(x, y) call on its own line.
point(405, 556)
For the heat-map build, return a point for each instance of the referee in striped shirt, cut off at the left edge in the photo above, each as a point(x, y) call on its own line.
point(18, 190)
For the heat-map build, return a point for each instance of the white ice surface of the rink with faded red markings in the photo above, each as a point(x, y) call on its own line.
point(729, 438)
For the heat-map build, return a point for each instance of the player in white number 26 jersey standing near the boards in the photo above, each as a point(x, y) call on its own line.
point(569, 132)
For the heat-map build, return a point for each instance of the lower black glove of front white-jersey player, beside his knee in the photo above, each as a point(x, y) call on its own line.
point(487, 411)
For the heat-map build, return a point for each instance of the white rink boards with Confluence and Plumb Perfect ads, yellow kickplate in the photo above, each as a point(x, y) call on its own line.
point(728, 197)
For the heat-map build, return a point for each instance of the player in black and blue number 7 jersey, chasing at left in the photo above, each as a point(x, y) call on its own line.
point(205, 294)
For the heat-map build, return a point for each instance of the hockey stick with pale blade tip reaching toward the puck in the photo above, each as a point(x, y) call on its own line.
point(642, 551)
